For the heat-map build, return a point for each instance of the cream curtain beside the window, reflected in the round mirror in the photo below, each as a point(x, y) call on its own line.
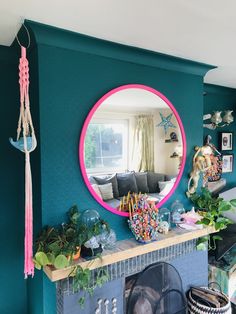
point(143, 149)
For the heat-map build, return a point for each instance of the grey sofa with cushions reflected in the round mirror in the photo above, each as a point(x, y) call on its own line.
point(145, 182)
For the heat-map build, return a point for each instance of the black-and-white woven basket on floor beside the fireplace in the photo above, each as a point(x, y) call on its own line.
point(195, 307)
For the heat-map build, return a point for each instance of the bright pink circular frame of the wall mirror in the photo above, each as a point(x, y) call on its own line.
point(83, 134)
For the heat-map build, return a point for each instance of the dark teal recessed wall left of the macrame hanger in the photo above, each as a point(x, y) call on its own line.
point(13, 289)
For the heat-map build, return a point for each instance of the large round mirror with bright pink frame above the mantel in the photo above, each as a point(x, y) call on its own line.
point(132, 143)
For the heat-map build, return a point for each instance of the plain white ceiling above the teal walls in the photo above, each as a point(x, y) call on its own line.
point(202, 30)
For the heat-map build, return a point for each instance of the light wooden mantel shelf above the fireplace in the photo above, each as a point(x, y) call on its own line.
point(127, 249)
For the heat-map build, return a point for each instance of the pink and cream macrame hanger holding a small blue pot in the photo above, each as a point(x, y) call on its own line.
point(26, 142)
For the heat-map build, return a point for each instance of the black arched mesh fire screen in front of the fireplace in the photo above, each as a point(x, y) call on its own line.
point(157, 289)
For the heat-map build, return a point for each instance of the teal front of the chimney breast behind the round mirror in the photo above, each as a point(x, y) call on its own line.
point(70, 83)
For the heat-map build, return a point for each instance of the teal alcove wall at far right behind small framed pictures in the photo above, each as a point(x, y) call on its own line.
point(221, 98)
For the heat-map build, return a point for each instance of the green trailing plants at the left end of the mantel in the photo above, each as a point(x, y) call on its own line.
point(60, 246)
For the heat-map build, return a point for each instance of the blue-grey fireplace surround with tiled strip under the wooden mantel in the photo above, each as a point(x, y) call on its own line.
point(191, 264)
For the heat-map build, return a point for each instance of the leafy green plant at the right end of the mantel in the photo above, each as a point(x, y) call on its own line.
point(212, 211)
